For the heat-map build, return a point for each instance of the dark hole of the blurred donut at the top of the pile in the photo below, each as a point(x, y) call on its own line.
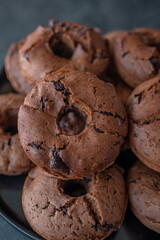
point(62, 49)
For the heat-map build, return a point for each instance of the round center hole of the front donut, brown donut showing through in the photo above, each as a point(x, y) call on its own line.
point(71, 121)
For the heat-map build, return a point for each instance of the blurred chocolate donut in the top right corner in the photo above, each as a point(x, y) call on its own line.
point(137, 55)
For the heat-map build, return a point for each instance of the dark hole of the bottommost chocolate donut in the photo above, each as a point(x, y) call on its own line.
point(74, 188)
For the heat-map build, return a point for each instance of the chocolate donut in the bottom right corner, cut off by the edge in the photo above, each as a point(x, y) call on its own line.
point(144, 195)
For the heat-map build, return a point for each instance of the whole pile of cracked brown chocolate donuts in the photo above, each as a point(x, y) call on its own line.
point(73, 87)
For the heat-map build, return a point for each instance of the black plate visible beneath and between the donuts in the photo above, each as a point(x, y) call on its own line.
point(11, 208)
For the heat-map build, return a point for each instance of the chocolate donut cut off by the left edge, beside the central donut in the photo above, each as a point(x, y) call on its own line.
point(13, 160)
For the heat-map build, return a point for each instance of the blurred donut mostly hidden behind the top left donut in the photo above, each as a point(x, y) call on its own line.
point(13, 72)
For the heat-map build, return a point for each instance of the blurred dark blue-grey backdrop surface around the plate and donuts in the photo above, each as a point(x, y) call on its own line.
point(19, 17)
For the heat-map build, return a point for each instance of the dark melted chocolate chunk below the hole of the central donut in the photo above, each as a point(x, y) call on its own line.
point(57, 162)
